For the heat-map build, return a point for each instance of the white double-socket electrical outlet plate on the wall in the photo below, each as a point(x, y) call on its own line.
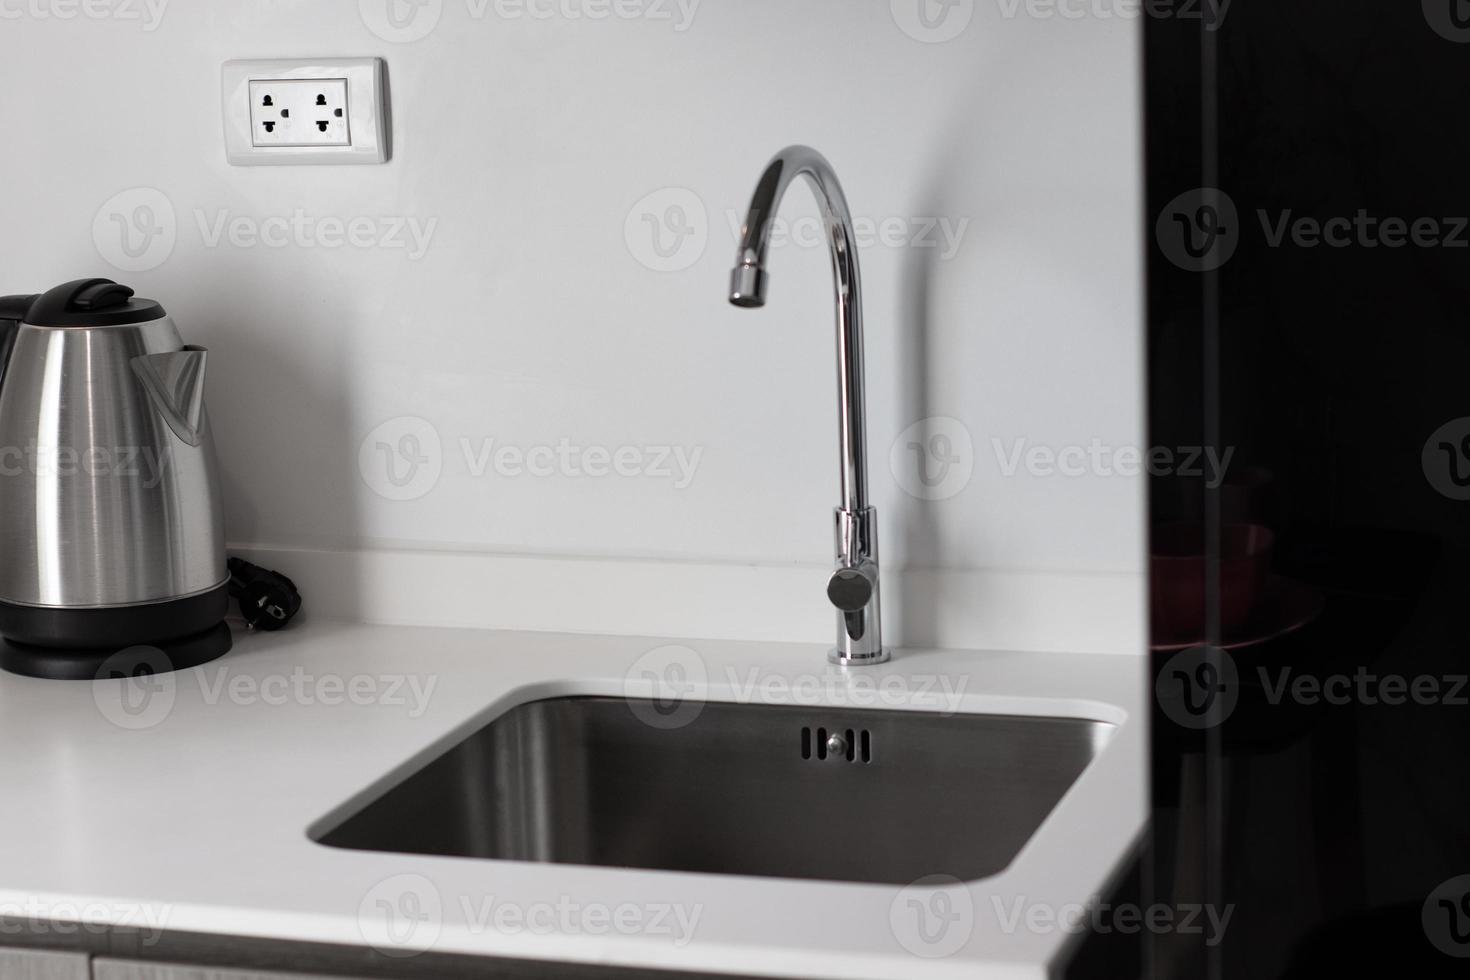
point(314, 111)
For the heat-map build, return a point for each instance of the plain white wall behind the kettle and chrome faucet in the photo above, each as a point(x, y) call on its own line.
point(530, 320)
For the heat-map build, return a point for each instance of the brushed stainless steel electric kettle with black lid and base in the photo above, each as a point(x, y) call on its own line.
point(111, 524)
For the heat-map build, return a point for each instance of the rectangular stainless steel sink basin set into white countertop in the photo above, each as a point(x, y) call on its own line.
point(742, 790)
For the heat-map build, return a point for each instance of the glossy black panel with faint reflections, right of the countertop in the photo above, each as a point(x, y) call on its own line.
point(1324, 794)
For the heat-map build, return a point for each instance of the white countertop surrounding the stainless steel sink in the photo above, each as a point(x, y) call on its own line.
point(190, 812)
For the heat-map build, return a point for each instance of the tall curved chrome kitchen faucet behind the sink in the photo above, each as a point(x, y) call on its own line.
point(853, 588)
